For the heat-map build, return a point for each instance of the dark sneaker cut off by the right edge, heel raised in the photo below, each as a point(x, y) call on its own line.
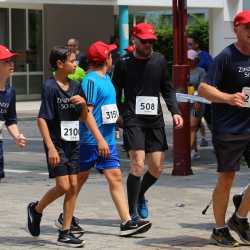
point(241, 227)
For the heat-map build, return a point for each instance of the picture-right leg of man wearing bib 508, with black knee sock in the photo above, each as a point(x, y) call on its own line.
point(155, 162)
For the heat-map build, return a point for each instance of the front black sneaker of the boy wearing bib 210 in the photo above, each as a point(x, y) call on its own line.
point(68, 239)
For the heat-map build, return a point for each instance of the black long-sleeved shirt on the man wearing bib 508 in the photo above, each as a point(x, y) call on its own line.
point(143, 77)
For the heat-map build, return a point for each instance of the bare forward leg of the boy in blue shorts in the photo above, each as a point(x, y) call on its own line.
point(114, 178)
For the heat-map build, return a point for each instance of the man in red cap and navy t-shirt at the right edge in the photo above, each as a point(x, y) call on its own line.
point(227, 85)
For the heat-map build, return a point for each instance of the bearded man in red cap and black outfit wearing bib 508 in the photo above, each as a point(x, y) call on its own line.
point(142, 75)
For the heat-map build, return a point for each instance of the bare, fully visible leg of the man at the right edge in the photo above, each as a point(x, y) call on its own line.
point(221, 197)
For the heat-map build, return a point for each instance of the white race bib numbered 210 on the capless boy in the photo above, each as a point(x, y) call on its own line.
point(70, 130)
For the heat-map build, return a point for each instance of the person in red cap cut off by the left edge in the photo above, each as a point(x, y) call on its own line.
point(8, 103)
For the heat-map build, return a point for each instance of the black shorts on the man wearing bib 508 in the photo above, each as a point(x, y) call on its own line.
point(147, 139)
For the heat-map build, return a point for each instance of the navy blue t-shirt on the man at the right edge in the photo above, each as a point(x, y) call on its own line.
point(229, 73)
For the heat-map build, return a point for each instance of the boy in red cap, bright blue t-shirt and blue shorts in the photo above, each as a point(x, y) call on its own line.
point(101, 101)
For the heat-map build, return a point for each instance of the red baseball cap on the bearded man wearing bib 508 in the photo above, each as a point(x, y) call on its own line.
point(144, 31)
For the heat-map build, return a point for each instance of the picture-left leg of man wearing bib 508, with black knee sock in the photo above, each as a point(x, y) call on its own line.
point(137, 158)
